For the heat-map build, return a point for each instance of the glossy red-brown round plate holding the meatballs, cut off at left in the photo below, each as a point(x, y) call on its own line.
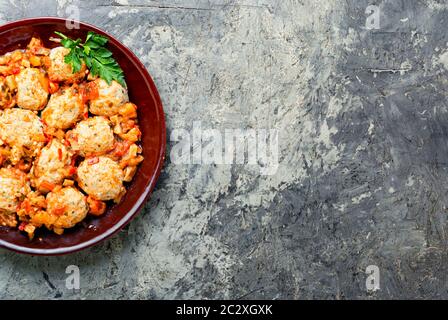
point(143, 93)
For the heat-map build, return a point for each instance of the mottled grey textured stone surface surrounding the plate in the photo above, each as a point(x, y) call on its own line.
point(363, 123)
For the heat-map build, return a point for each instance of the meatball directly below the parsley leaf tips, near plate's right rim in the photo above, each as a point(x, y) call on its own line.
point(110, 98)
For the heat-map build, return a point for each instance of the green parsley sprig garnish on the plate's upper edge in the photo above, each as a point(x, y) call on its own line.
point(93, 53)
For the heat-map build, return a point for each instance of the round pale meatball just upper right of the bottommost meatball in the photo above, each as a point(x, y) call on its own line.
point(101, 178)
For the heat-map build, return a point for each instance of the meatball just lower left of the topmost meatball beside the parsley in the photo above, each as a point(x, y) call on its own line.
point(32, 89)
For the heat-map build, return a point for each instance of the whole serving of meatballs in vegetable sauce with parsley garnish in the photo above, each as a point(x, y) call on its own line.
point(69, 135)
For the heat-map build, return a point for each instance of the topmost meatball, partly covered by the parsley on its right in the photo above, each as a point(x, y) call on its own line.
point(59, 71)
